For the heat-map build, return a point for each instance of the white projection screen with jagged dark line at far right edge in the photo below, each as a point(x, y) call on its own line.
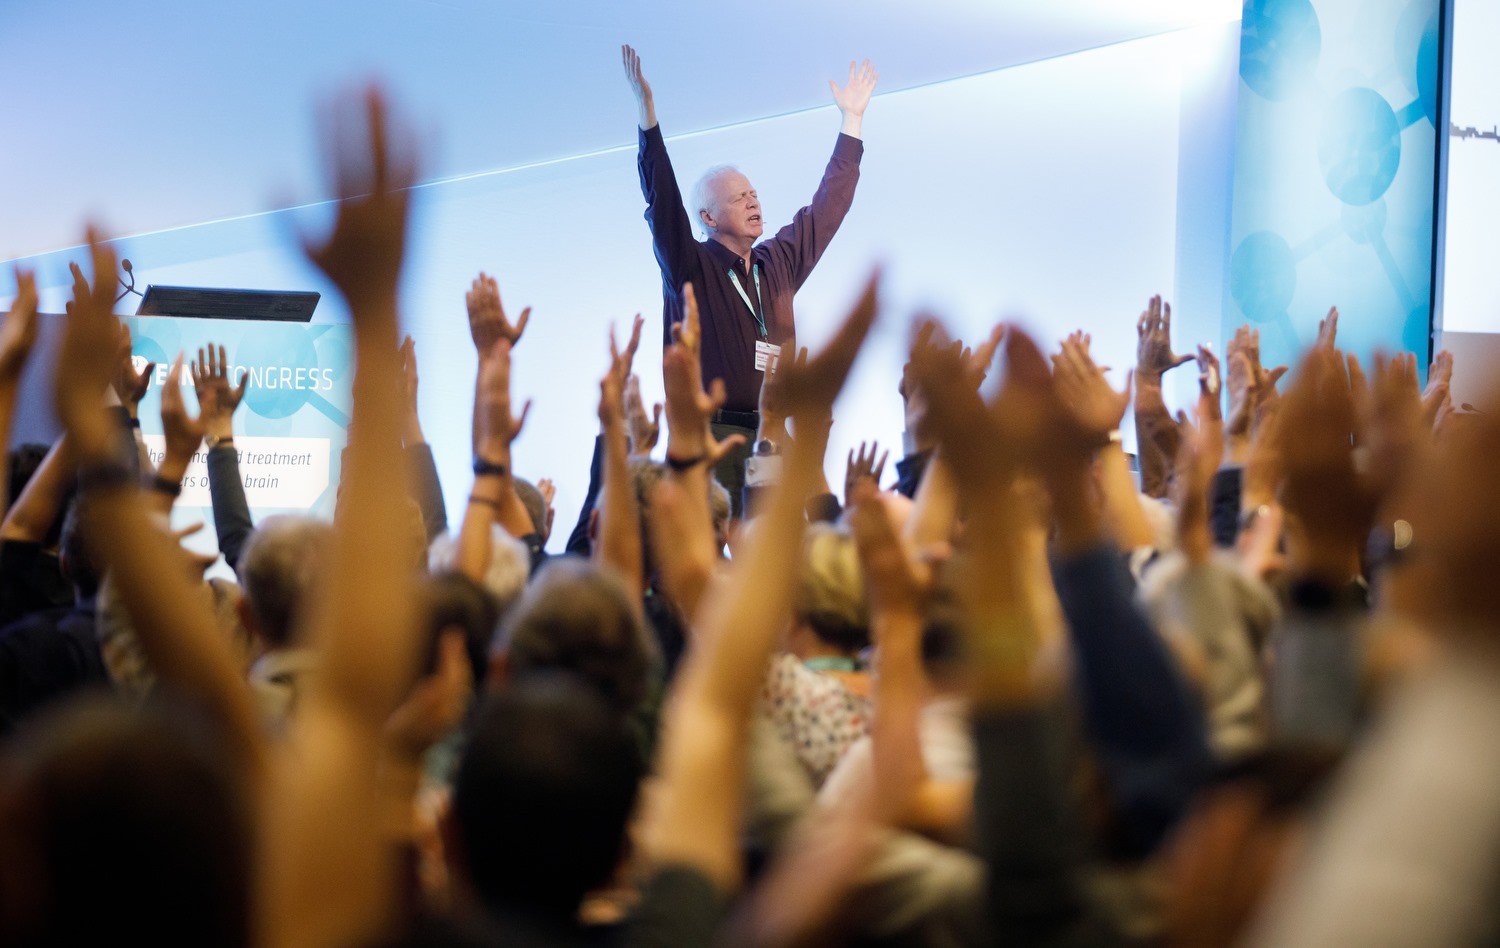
point(1471, 284)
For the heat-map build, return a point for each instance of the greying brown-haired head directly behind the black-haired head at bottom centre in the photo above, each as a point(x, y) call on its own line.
point(580, 620)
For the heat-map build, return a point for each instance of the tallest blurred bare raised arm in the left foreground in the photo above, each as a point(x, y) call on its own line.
point(365, 632)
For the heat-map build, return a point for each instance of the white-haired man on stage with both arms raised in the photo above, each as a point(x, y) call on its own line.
point(745, 286)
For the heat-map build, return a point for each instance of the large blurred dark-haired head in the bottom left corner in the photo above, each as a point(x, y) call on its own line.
point(124, 827)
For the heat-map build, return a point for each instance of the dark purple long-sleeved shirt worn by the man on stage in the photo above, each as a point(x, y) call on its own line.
point(785, 262)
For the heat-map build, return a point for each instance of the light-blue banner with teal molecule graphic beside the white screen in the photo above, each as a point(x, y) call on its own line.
point(1361, 140)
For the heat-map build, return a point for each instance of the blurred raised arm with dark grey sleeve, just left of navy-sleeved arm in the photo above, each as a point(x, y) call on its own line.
point(1027, 826)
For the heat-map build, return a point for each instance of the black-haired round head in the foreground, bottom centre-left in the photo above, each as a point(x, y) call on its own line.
point(542, 799)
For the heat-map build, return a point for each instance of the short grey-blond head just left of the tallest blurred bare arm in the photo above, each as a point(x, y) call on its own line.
point(278, 571)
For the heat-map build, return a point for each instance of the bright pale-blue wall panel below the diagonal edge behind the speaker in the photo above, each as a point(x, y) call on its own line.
point(1063, 193)
